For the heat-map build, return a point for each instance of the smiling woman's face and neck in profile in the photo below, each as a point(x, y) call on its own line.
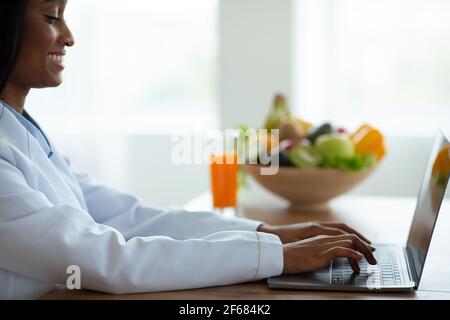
point(39, 56)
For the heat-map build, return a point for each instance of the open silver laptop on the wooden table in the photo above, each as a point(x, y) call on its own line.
point(399, 268)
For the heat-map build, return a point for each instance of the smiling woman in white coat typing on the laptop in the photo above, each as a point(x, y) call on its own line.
point(53, 216)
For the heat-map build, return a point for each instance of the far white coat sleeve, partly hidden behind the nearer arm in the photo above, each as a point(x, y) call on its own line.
point(125, 213)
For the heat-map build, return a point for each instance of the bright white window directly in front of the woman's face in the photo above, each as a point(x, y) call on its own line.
point(138, 66)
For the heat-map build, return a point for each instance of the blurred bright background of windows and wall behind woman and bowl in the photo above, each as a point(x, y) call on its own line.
point(142, 69)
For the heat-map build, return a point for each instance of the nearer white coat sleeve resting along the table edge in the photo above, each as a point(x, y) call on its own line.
point(40, 240)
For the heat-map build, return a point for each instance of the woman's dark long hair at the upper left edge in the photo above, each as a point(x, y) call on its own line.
point(12, 14)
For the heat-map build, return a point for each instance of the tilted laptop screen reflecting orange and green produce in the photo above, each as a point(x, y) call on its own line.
point(431, 194)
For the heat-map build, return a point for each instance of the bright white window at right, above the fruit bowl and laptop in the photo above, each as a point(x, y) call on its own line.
point(382, 61)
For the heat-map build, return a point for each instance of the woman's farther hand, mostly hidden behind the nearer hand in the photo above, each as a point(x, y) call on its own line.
point(301, 231)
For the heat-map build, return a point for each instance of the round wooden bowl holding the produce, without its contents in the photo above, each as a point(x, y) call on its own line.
point(308, 189)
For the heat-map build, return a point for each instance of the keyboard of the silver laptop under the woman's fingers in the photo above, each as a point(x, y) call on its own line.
point(385, 273)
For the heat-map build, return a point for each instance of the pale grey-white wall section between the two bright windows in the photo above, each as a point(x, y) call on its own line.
point(255, 60)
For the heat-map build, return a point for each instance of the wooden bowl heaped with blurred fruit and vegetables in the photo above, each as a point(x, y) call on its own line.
point(315, 163)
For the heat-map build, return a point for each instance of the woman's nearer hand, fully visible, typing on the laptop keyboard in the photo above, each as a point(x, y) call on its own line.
point(318, 252)
